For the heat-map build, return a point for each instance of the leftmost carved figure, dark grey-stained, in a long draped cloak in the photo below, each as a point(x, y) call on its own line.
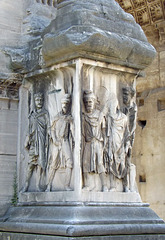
point(37, 142)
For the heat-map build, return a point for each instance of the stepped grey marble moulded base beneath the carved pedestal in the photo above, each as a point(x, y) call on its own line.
point(82, 221)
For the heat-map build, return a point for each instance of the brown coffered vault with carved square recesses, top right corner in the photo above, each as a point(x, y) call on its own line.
point(150, 15)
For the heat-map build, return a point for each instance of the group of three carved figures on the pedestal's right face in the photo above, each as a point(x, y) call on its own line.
point(108, 139)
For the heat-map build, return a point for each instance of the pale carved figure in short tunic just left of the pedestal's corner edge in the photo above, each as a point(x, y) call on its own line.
point(62, 132)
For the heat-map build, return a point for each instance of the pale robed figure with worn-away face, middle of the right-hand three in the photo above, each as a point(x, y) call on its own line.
point(118, 144)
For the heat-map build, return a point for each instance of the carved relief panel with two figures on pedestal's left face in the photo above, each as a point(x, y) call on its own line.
point(47, 148)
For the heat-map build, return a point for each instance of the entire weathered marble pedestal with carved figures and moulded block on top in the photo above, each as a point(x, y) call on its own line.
point(82, 50)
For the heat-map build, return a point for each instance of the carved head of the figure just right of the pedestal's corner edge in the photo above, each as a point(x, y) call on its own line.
point(89, 99)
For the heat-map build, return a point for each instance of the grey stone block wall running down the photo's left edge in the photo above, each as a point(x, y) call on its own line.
point(11, 16)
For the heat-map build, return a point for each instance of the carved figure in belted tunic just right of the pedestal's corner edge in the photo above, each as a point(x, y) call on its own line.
point(94, 133)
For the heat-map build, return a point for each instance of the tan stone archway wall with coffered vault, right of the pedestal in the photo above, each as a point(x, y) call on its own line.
point(149, 142)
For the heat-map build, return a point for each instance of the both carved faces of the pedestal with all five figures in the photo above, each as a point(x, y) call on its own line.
point(53, 137)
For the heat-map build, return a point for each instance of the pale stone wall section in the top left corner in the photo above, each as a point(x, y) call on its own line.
point(10, 29)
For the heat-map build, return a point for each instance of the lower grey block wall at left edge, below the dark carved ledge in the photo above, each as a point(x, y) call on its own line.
point(8, 150)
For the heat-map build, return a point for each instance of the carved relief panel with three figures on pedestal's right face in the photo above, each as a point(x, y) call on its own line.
point(108, 129)
